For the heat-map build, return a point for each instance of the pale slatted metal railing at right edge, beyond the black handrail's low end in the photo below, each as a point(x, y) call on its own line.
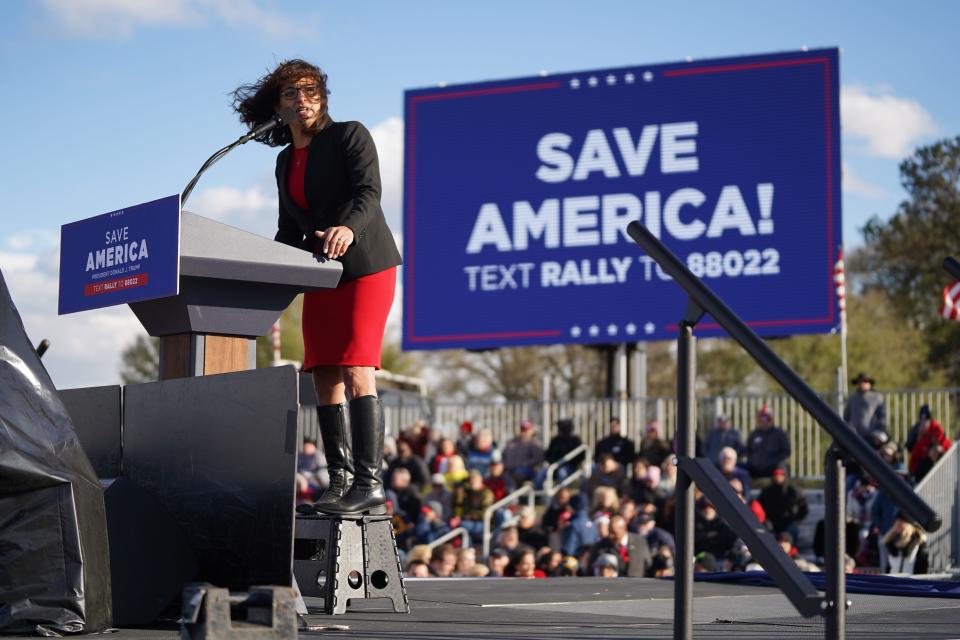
point(941, 490)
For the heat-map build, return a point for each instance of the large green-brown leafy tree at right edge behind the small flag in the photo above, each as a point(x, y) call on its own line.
point(903, 255)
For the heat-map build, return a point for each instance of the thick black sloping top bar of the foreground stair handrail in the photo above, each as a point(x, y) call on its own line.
point(843, 435)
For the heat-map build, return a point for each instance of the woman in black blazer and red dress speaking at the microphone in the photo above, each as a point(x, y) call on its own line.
point(328, 179)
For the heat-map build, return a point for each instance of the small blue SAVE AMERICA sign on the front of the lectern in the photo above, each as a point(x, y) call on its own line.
point(123, 256)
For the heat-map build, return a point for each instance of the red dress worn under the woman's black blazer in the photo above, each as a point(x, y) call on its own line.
point(342, 326)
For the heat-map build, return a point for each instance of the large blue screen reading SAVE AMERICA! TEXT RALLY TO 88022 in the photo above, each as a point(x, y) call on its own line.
point(517, 194)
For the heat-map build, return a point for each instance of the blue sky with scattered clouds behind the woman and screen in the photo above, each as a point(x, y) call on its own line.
point(114, 102)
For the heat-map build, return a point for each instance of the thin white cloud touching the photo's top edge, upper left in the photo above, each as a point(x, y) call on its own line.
point(115, 19)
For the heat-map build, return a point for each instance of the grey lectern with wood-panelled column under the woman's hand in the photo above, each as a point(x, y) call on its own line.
point(233, 287)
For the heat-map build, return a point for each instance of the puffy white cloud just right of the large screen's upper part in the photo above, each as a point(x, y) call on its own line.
point(889, 126)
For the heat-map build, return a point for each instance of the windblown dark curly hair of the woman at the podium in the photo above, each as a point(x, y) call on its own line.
point(256, 103)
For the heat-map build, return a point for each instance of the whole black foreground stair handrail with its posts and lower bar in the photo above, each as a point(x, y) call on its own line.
point(701, 300)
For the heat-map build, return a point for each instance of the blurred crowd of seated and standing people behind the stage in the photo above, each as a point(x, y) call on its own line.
point(619, 520)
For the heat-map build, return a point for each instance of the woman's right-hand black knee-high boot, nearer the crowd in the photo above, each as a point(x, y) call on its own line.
point(366, 428)
